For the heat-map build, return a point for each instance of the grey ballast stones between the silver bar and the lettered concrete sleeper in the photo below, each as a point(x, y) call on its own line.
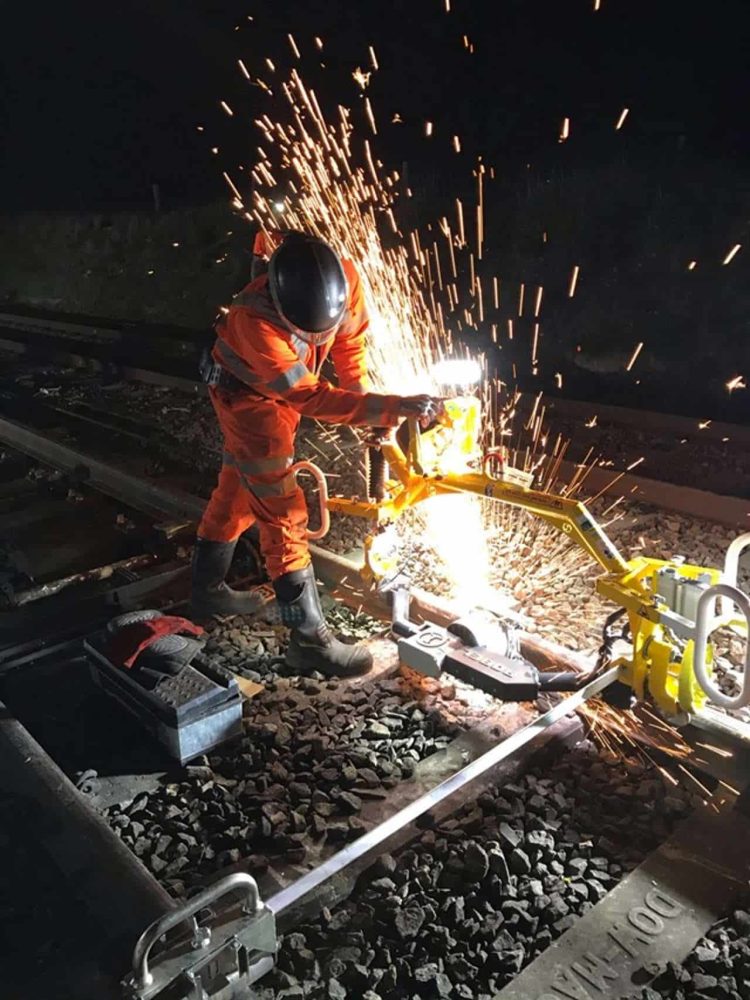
point(461, 911)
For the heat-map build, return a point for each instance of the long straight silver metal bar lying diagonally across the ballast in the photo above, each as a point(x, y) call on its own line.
point(374, 840)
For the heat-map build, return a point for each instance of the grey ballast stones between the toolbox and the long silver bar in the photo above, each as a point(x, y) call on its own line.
point(309, 759)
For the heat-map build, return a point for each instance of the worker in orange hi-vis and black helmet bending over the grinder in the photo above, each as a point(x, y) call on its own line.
point(265, 376)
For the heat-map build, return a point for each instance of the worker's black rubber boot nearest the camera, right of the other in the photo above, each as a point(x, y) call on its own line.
point(312, 645)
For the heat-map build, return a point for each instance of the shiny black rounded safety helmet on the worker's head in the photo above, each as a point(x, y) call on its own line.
point(308, 286)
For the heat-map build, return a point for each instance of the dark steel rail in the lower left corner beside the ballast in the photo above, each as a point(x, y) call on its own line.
point(104, 873)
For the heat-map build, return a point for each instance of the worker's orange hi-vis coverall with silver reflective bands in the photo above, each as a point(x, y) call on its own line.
point(274, 380)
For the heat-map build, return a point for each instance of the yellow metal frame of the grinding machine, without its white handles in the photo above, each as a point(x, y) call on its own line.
point(444, 461)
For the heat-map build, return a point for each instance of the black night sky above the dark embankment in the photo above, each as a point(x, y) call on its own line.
point(100, 100)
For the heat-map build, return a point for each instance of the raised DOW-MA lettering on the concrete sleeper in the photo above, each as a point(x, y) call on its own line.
point(595, 972)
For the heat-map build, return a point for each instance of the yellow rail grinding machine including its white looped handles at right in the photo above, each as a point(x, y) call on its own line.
point(672, 607)
